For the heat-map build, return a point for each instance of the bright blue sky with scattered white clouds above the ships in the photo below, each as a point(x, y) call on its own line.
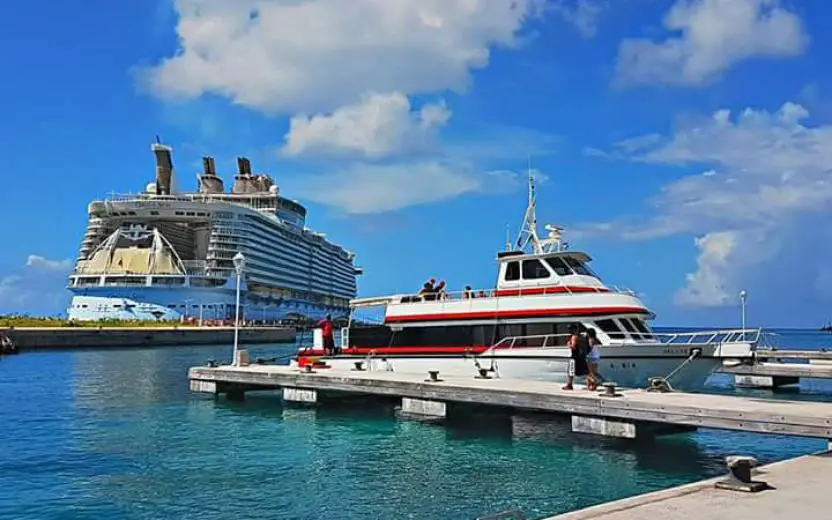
point(686, 145)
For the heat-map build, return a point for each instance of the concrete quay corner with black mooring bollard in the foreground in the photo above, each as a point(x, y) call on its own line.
point(800, 489)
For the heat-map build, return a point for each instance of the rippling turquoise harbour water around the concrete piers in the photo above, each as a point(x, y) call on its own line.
point(117, 435)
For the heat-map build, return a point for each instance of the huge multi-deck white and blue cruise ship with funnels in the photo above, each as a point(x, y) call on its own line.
point(167, 255)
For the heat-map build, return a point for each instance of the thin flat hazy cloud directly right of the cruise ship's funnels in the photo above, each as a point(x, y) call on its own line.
point(377, 188)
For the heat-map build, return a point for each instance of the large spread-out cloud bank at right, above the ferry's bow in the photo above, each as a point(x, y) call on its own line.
point(762, 202)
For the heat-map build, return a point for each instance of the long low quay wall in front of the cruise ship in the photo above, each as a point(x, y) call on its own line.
point(35, 338)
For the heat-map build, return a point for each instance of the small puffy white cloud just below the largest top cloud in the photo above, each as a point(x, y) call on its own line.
point(380, 125)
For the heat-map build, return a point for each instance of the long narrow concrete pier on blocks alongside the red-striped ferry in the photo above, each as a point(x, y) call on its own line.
point(625, 415)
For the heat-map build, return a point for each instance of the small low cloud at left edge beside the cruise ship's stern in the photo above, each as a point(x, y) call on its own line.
point(37, 288)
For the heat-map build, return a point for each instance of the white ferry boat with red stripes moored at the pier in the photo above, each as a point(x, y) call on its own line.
point(519, 329)
